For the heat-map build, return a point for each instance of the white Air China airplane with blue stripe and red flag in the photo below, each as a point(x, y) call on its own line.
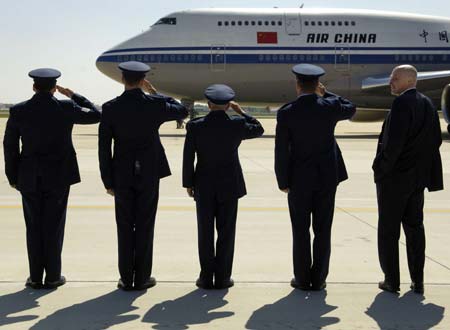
point(253, 50)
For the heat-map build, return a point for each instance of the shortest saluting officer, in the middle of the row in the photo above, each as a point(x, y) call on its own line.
point(217, 181)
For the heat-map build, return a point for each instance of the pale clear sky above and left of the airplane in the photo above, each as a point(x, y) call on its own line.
point(70, 35)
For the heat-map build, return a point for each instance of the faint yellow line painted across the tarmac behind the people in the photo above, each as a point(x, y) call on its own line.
point(169, 208)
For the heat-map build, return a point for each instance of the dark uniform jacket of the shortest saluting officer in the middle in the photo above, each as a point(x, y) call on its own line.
point(215, 140)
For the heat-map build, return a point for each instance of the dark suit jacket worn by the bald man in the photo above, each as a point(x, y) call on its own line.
point(408, 146)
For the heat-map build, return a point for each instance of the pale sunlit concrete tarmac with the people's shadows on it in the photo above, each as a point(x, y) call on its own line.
point(261, 298)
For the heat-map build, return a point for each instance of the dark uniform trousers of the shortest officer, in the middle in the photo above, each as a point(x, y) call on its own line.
point(218, 261)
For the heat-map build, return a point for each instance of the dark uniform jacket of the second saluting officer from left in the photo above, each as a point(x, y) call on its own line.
point(132, 120)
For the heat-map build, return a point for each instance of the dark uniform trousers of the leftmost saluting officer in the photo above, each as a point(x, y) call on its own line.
point(45, 218)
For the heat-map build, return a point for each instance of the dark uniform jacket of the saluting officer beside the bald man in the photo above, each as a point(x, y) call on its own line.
point(307, 155)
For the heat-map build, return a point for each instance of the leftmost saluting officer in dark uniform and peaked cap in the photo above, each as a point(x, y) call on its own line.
point(44, 168)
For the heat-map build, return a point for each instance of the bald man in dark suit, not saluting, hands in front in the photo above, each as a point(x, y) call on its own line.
point(407, 162)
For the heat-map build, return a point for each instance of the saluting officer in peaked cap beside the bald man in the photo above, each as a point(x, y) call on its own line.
point(309, 166)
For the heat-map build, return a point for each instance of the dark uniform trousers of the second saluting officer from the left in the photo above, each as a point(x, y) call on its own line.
point(135, 219)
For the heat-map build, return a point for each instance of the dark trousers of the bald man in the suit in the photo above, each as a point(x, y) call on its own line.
point(398, 206)
